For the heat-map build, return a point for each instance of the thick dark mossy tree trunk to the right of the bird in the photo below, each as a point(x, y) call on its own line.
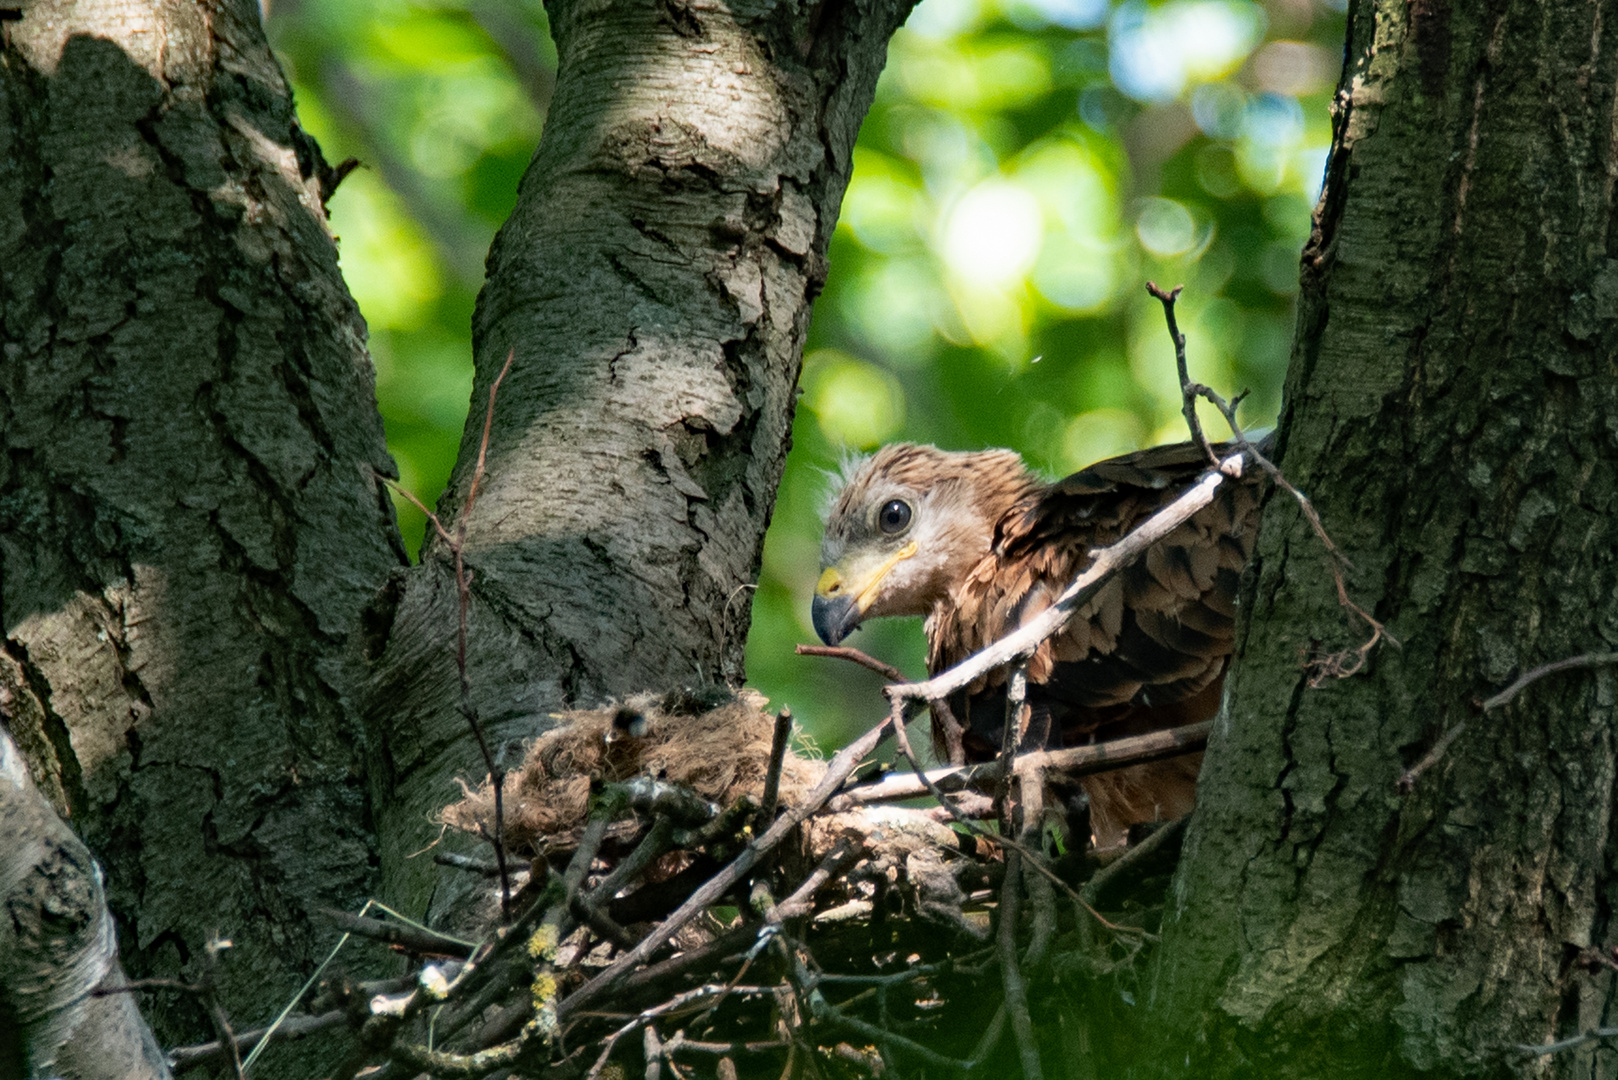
point(1451, 410)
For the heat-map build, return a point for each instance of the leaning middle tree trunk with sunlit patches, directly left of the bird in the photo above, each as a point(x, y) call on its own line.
point(654, 284)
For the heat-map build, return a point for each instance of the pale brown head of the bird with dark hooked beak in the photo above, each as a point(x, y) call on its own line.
point(909, 525)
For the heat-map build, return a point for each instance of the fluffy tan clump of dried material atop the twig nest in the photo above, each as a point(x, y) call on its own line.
point(718, 747)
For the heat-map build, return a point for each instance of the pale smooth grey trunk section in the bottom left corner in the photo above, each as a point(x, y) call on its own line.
point(57, 945)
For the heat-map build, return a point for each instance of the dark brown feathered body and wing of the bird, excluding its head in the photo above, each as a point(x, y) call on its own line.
point(1146, 653)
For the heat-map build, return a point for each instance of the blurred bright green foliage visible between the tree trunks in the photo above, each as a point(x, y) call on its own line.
point(1027, 168)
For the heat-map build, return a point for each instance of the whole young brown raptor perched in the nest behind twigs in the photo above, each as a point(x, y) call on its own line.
point(980, 545)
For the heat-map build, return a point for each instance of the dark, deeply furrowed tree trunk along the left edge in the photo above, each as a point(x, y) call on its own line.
point(188, 516)
